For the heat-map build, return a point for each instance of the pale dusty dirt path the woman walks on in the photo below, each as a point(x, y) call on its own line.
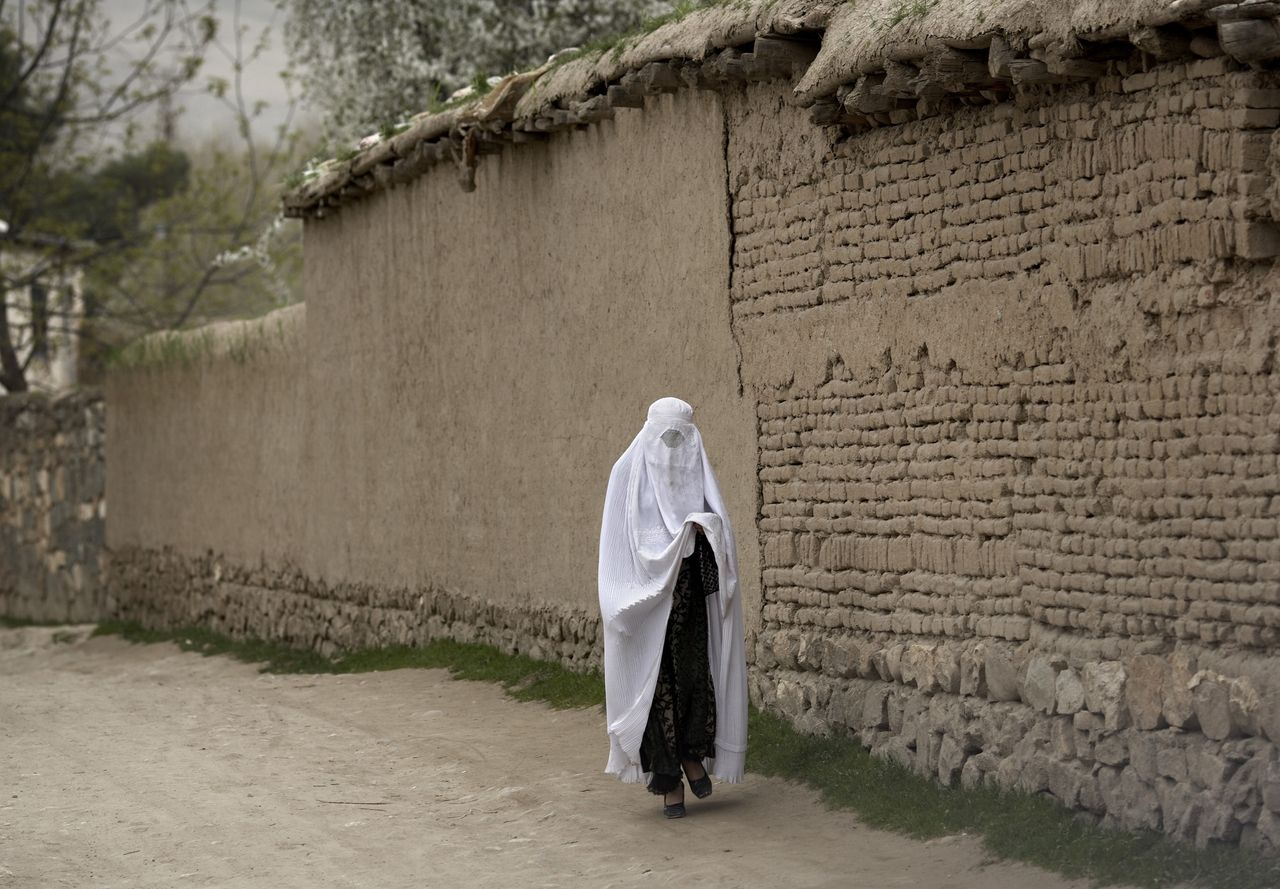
point(130, 767)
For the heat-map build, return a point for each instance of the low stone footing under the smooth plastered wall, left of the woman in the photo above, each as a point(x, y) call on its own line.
point(163, 590)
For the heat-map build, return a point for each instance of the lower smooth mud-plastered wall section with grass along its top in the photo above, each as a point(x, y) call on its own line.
point(205, 446)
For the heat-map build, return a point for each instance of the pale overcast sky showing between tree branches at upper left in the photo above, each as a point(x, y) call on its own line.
point(204, 116)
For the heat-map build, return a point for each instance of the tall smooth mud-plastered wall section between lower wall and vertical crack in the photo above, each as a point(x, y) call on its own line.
point(469, 391)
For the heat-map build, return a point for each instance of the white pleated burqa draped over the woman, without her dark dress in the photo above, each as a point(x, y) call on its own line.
point(660, 492)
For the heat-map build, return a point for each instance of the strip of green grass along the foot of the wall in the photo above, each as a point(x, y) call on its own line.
point(1013, 826)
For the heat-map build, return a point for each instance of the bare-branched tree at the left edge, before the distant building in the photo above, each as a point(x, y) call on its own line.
point(60, 93)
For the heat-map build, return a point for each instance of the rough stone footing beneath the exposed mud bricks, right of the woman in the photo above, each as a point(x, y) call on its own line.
point(1096, 736)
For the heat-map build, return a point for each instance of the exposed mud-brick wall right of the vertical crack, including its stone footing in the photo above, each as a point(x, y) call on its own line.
point(1021, 443)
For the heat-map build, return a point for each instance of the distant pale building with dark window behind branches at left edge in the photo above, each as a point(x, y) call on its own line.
point(45, 313)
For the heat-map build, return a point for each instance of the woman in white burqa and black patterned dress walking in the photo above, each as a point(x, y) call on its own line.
point(675, 667)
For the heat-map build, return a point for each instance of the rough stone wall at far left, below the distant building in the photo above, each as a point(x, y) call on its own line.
point(52, 507)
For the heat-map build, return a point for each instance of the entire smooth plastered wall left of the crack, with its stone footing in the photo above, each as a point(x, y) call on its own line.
point(426, 453)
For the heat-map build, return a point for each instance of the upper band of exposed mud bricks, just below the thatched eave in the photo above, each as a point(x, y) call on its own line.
point(1107, 182)
